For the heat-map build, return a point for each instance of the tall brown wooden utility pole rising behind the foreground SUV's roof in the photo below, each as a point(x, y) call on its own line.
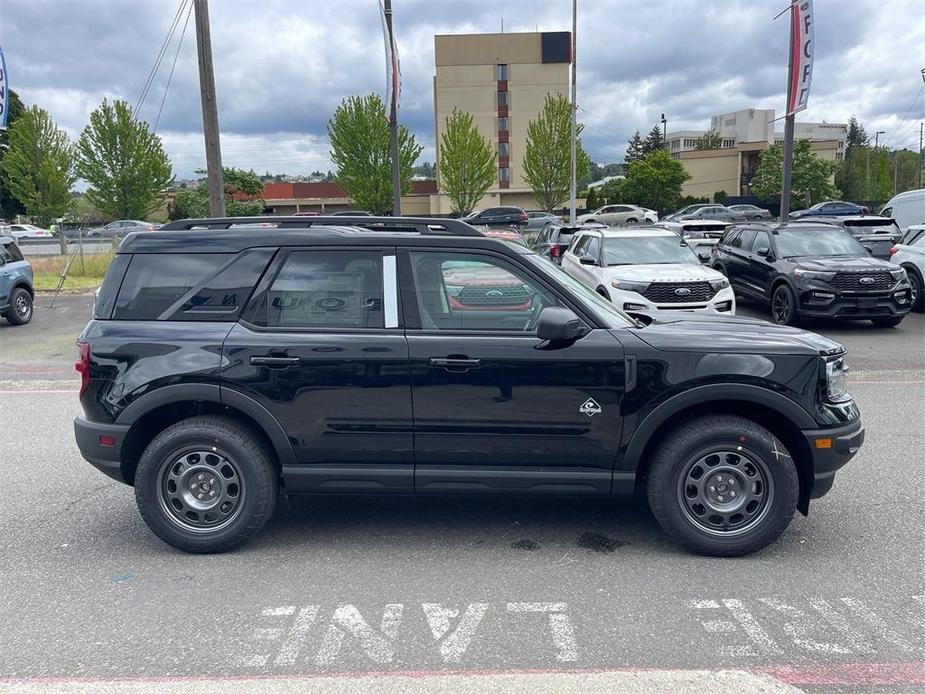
point(215, 174)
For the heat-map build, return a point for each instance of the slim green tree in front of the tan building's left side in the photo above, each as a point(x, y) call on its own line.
point(467, 163)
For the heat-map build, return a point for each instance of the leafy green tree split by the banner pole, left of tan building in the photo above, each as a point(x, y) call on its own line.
point(360, 148)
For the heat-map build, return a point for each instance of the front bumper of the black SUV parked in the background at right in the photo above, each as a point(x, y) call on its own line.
point(821, 301)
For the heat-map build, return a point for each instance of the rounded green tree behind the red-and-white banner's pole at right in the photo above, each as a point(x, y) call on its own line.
point(811, 175)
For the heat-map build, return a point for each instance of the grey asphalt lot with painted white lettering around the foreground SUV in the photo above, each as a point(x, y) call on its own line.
point(529, 595)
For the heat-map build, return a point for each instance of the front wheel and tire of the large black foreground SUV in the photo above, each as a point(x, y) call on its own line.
point(732, 448)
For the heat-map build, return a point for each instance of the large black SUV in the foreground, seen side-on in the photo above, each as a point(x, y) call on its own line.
point(223, 368)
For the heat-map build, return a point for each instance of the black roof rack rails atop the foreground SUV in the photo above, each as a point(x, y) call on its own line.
point(421, 225)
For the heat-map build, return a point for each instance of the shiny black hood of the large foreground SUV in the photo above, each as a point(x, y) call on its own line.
point(680, 331)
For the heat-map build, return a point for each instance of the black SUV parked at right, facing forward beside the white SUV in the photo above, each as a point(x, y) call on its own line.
point(817, 270)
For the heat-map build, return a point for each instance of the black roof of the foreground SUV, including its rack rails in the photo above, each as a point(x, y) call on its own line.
point(234, 234)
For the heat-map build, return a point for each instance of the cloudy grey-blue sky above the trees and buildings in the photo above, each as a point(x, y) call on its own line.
point(282, 66)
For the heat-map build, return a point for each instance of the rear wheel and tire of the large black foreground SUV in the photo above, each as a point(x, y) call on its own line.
point(177, 469)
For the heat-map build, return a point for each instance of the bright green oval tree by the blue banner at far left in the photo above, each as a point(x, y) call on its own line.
point(38, 166)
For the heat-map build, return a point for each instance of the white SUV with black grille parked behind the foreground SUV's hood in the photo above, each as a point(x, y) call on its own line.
point(647, 270)
